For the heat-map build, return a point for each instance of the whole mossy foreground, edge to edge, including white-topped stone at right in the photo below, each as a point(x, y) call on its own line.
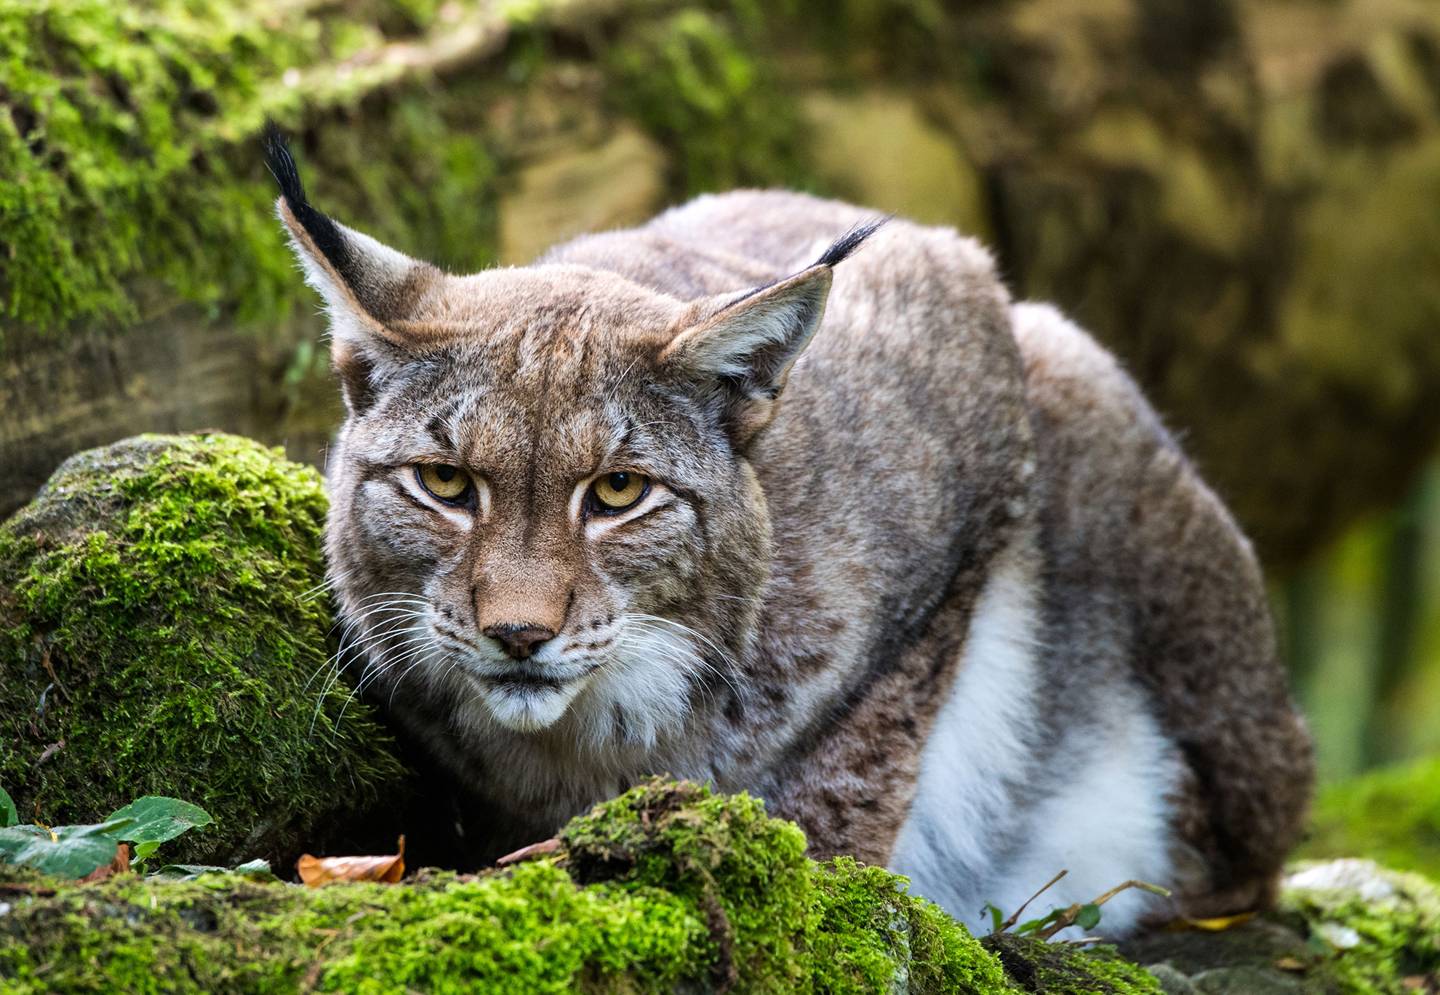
point(670, 888)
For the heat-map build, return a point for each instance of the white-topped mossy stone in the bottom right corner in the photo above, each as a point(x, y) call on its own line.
point(1379, 931)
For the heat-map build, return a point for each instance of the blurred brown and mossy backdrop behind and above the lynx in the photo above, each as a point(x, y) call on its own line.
point(1236, 195)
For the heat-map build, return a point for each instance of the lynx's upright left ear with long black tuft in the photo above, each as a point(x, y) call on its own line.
point(369, 289)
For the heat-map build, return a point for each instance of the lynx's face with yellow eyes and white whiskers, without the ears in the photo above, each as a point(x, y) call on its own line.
point(542, 523)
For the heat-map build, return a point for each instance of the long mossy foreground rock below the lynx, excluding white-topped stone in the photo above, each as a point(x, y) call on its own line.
point(667, 888)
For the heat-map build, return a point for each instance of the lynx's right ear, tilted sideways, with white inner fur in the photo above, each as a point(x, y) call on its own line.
point(739, 351)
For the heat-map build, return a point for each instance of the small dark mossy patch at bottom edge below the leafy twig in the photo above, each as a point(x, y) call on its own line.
point(1069, 970)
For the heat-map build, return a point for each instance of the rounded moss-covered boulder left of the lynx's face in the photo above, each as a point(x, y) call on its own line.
point(163, 630)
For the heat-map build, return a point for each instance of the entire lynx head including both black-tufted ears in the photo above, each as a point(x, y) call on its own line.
point(542, 512)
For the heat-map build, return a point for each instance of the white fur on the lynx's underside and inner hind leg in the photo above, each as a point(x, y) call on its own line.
point(991, 826)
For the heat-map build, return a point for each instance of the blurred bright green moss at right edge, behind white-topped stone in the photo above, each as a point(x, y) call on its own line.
point(1392, 817)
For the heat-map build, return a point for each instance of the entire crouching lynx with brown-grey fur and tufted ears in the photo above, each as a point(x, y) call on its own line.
point(770, 495)
